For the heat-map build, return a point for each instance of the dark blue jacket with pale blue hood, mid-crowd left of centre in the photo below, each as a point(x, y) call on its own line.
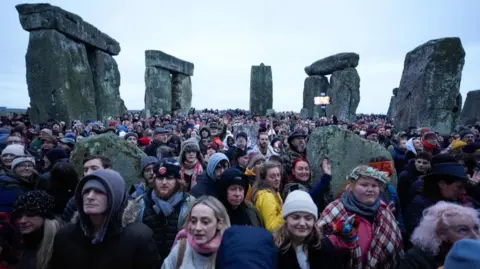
point(206, 181)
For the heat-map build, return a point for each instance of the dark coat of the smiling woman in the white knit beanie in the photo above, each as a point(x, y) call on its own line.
point(327, 257)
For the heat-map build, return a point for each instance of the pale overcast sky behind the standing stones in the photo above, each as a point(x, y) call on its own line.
point(225, 38)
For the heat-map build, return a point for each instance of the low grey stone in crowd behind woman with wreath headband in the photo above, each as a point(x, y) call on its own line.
point(344, 150)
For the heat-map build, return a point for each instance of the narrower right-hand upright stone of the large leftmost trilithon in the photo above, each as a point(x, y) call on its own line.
point(106, 79)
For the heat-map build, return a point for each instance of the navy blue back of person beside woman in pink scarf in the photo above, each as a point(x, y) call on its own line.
point(245, 247)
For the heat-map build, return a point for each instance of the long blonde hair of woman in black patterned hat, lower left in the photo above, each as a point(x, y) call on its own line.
point(44, 253)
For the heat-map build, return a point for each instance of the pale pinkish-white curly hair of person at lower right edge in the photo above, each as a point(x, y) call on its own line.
point(436, 219)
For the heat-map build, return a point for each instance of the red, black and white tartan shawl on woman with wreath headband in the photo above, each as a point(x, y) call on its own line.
point(386, 248)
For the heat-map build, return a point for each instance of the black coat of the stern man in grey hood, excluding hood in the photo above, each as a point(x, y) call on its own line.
point(131, 248)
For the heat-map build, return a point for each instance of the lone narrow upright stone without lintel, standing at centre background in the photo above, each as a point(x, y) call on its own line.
point(261, 89)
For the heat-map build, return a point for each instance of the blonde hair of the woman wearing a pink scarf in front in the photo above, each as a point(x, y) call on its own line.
point(220, 214)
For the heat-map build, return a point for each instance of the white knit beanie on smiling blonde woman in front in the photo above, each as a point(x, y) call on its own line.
point(299, 201)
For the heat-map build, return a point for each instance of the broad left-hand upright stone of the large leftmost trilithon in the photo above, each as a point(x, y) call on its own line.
point(59, 78)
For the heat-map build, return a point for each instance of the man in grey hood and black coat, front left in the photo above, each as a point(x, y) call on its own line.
point(103, 236)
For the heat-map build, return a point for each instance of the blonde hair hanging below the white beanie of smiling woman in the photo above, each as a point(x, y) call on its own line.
point(282, 238)
